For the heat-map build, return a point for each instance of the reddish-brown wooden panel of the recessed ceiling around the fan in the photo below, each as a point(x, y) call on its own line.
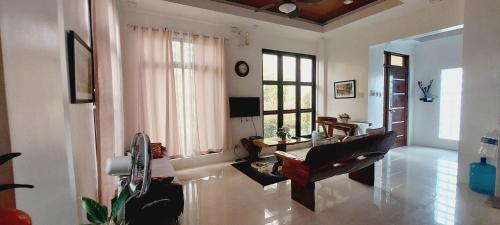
point(319, 13)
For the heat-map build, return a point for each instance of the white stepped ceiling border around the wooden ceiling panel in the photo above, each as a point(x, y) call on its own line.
point(219, 11)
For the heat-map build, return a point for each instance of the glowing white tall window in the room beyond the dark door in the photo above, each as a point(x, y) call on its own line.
point(450, 104)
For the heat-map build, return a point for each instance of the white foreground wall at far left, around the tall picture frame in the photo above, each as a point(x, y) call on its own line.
point(56, 138)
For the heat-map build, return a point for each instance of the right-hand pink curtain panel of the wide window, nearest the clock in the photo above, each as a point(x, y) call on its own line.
point(211, 93)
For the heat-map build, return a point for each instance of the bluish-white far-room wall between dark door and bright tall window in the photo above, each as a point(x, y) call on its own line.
point(430, 58)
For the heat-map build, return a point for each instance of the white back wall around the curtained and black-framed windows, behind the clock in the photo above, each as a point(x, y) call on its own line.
point(250, 86)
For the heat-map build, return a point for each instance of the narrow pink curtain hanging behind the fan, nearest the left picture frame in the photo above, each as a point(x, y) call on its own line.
point(110, 95)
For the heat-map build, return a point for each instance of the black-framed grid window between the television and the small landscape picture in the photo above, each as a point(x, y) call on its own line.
point(288, 84)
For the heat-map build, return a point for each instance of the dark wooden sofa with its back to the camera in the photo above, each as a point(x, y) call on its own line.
point(355, 157)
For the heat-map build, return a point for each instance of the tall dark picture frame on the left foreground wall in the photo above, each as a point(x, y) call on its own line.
point(80, 69)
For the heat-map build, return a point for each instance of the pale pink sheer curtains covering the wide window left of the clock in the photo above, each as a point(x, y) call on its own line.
point(183, 93)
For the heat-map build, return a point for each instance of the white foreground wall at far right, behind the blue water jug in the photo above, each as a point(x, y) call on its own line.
point(481, 80)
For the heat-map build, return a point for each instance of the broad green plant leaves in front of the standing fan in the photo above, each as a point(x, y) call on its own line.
point(98, 213)
